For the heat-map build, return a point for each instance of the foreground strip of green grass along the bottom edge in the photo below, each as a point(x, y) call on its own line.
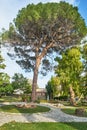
point(44, 126)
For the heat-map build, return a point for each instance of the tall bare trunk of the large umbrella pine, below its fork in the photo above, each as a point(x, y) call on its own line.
point(35, 77)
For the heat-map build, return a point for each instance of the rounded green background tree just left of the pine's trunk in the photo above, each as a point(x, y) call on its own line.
point(20, 82)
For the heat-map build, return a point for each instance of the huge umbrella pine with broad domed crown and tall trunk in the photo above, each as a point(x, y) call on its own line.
point(39, 30)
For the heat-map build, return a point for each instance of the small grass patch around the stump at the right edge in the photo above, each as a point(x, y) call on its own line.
point(71, 111)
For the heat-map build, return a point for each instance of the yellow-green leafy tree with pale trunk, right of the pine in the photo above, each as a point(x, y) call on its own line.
point(69, 70)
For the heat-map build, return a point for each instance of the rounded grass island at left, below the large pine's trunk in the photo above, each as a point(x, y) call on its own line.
point(15, 109)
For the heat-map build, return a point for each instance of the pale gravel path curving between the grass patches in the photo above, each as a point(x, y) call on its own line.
point(54, 115)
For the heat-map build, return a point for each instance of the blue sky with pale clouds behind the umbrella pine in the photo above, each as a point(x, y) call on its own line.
point(9, 10)
